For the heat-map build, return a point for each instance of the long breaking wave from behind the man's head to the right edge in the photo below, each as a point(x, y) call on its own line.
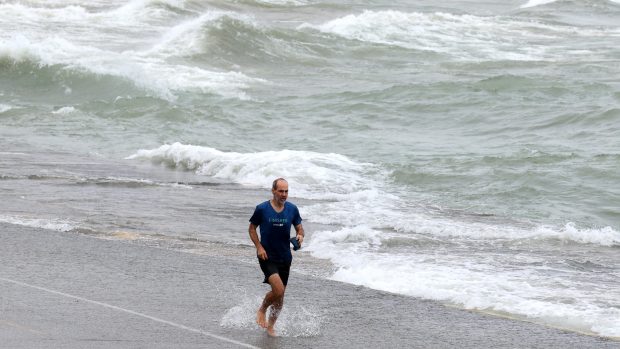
point(353, 194)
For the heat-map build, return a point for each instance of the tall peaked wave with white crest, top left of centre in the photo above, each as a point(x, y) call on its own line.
point(232, 39)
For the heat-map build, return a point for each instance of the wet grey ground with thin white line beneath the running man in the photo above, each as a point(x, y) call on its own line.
point(75, 291)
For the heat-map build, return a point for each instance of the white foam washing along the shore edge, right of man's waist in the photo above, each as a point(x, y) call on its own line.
point(469, 282)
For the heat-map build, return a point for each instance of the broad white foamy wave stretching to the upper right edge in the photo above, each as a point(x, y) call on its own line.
point(464, 37)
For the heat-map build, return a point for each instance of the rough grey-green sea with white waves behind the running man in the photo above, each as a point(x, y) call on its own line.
point(466, 152)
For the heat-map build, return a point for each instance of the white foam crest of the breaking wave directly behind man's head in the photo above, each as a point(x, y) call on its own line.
point(314, 175)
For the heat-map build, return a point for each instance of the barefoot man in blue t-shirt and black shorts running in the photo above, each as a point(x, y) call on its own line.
point(274, 217)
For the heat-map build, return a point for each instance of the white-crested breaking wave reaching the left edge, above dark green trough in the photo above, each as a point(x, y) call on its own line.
point(148, 73)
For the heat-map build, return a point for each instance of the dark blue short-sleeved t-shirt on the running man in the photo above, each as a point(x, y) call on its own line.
point(275, 229)
